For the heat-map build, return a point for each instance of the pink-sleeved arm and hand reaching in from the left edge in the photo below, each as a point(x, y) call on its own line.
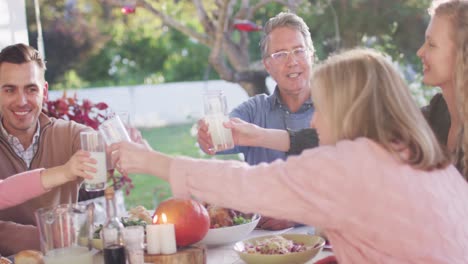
point(27, 185)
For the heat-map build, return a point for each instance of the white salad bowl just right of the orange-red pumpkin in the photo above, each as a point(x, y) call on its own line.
point(230, 234)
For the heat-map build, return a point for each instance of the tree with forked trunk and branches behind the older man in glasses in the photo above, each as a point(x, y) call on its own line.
point(229, 49)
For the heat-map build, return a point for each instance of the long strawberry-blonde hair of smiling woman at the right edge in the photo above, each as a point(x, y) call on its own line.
point(457, 13)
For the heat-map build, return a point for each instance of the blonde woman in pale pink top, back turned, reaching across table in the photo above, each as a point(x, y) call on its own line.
point(380, 185)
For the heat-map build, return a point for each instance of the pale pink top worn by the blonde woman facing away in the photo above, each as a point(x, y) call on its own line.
point(374, 208)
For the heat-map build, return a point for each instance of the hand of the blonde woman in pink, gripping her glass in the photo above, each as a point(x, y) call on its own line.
point(128, 156)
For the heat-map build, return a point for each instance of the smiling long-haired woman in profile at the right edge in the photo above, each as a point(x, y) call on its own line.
point(443, 55)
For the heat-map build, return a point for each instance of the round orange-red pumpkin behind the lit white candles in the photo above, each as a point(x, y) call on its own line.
point(190, 218)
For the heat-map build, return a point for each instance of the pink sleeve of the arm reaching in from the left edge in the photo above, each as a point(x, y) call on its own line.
point(20, 188)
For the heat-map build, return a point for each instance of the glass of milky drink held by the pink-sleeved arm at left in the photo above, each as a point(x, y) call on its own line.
point(93, 142)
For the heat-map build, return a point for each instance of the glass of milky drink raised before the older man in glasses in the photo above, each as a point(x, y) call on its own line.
point(215, 114)
